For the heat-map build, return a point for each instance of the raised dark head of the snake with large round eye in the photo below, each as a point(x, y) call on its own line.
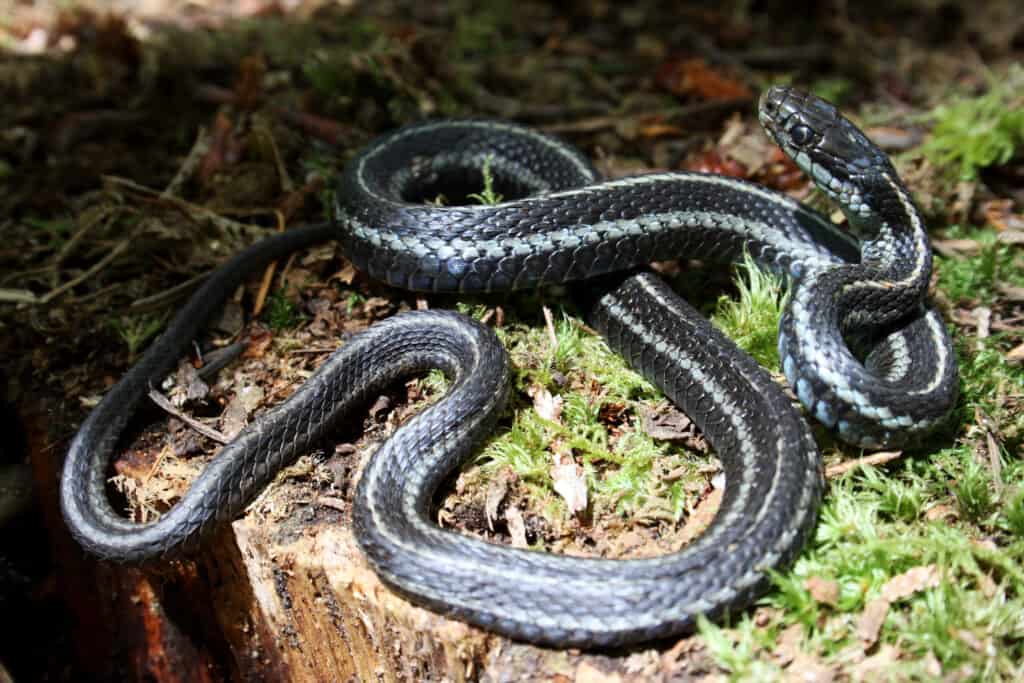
point(838, 157)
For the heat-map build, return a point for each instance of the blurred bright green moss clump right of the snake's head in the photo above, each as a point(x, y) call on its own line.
point(973, 134)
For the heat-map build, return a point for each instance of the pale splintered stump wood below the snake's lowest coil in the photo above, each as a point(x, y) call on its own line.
point(332, 619)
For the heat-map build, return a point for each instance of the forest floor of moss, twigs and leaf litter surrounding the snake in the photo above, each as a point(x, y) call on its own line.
point(144, 143)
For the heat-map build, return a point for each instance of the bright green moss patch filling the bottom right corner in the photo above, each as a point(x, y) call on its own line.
point(963, 610)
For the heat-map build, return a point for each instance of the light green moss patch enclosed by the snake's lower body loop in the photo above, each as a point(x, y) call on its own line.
point(590, 382)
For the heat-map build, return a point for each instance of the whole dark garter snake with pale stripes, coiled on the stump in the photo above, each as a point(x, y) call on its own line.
point(866, 292)
